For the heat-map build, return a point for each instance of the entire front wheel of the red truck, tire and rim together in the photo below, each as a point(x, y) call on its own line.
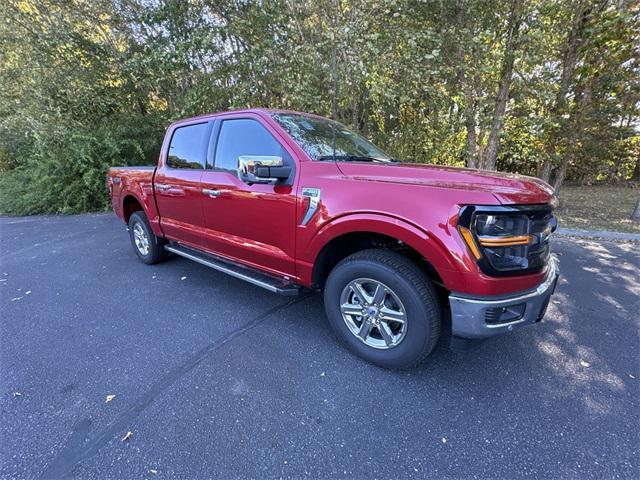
point(383, 307)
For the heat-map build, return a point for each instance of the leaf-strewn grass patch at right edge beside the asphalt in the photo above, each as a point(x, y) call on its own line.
point(598, 208)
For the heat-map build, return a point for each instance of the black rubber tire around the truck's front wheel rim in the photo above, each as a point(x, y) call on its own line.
point(409, 284)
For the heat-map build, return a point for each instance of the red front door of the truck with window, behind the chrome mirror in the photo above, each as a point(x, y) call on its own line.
point(251, 223)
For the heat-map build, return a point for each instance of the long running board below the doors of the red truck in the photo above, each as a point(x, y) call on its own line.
point(266, 281)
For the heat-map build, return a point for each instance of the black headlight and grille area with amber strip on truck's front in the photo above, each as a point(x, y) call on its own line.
point(508, 240)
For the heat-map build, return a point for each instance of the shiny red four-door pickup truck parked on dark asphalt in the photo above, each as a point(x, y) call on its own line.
point(287, 200)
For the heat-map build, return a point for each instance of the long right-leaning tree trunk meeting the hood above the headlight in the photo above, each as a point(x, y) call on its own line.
point(515, 19)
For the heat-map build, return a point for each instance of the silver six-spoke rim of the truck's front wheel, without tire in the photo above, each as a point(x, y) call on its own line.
point(373, 313)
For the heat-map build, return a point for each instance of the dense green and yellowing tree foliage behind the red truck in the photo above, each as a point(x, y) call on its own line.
point(89, 84)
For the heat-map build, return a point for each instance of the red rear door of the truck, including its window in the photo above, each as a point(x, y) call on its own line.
point(177, 183)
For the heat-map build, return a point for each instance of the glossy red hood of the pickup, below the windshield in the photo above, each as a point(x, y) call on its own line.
point(507, 188)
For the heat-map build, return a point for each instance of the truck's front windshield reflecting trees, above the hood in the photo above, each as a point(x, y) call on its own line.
point(315, 136)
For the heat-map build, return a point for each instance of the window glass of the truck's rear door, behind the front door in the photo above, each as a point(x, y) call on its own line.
point(188, 146)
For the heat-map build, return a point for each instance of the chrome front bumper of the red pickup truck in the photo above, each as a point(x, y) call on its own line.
point(476, 317)
